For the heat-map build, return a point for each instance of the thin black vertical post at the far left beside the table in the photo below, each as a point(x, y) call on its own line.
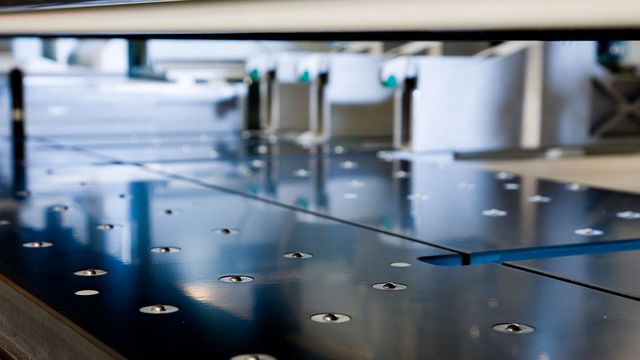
point(16, 85)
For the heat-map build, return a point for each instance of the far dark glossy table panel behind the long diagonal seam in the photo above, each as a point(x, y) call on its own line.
point(417, 197)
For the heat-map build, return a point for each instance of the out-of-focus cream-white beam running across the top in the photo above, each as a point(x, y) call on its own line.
point(235, 16)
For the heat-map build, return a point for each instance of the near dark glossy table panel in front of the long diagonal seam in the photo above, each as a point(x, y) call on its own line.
point(445, 312)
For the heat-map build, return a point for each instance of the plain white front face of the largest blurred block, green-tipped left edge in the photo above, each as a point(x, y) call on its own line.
point(460, 103)
